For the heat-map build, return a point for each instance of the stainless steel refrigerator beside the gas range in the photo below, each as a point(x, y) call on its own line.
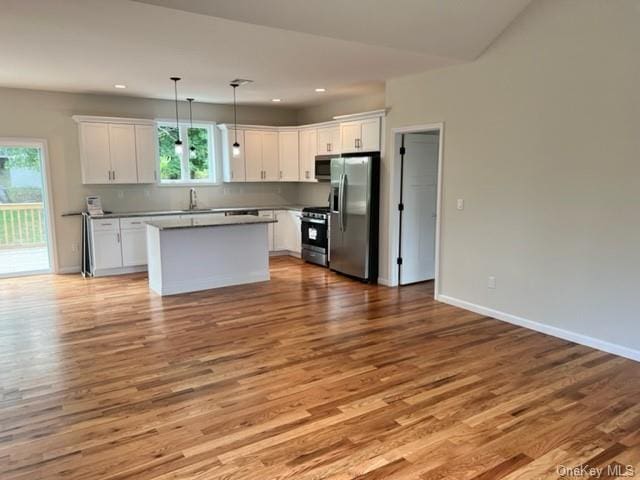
point(353, 229)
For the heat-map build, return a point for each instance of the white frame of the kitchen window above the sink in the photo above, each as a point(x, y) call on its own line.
point(213, 179)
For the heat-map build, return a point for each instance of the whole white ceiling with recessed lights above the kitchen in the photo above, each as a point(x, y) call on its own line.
point(345, 46)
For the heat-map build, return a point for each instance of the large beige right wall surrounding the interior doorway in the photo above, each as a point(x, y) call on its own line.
point(542, 140)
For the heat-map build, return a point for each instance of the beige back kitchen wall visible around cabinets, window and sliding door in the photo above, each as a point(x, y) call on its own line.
point(47, 115)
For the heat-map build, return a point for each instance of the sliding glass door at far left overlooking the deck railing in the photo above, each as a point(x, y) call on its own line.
point(24, 236)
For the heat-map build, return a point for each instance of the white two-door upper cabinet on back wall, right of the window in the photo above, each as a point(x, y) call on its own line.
point(261, 156)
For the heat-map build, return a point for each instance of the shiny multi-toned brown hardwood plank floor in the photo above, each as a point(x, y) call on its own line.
point(309, 376)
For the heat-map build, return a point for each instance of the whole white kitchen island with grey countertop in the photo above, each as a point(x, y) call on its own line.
point(199, 254)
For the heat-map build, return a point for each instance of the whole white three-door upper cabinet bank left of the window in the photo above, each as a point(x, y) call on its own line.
point(116, 150)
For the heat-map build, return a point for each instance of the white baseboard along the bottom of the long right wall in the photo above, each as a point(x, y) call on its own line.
point(543, 328)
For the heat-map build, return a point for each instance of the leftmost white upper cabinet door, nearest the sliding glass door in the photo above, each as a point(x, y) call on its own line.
point(94, 152)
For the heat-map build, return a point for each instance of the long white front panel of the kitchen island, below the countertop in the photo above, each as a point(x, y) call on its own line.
point(211, 257)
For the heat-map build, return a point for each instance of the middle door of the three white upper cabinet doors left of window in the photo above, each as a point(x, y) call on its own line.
point(122, 145)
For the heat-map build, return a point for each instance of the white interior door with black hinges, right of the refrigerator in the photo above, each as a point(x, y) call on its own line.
point(420, 193)
